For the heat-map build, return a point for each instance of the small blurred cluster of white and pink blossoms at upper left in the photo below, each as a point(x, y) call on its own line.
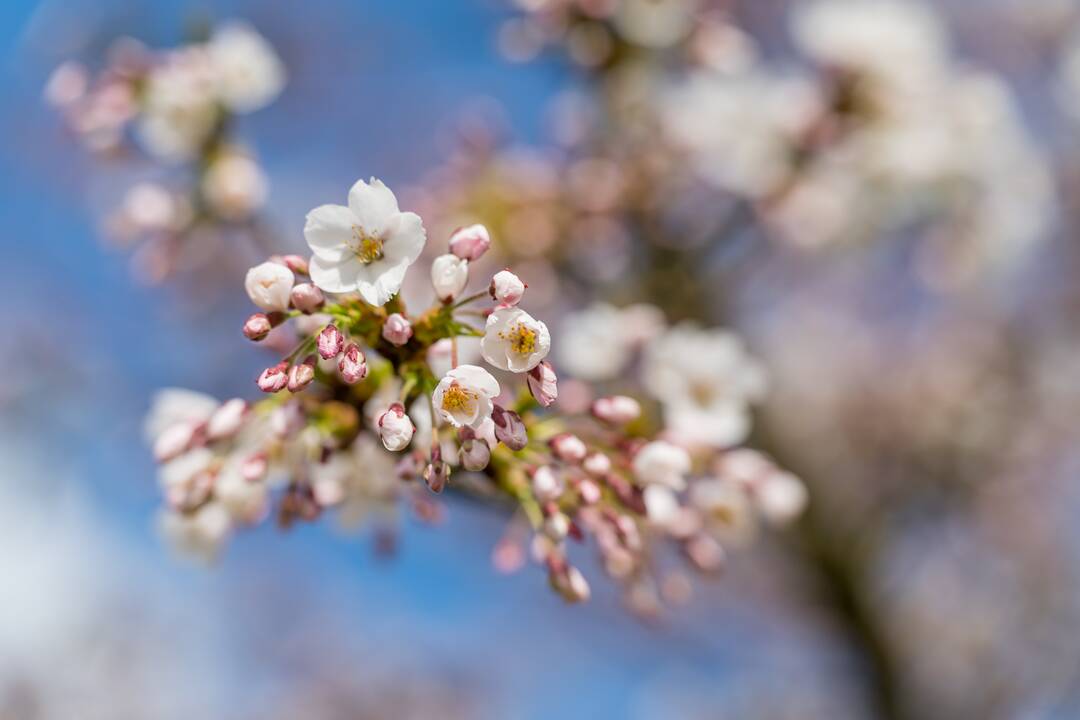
point(177, 107)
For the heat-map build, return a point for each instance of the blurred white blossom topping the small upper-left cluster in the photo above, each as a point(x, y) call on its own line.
point(248, 73)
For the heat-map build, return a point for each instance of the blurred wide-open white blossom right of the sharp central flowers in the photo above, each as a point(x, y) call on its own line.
point(706, 382)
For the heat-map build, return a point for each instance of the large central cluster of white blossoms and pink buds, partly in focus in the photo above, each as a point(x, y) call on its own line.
point(366, 409)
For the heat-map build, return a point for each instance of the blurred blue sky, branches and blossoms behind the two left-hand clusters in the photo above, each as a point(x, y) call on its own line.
point(883, 201)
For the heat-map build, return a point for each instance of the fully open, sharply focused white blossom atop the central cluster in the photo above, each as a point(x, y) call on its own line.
point(366, 248)
